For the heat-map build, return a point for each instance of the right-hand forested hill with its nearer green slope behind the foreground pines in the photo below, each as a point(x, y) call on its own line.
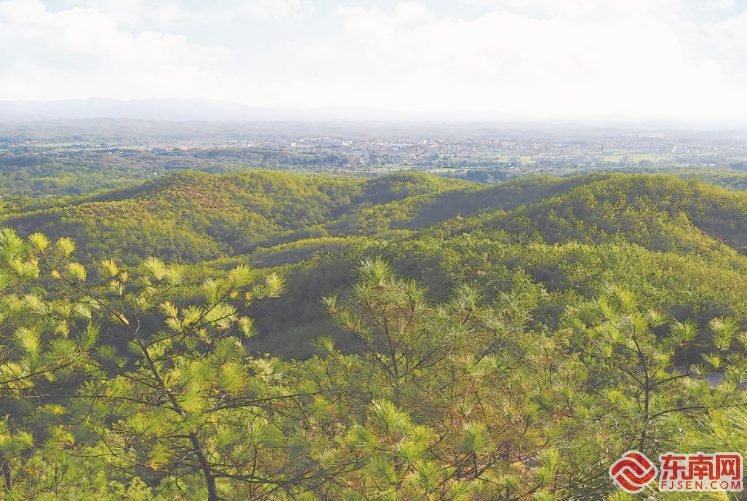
point(544, 242)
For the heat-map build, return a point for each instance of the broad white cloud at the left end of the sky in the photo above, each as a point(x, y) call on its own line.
point(81, 52)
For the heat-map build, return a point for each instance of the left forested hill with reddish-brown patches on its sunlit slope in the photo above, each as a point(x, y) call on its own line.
point(194, 216)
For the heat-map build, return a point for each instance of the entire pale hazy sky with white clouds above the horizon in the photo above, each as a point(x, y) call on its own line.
point(662, 59)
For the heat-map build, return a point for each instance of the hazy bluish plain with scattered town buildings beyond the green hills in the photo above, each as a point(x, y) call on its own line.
point(480, 152)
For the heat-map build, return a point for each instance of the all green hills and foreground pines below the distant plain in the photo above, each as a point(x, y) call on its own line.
point(268, 336)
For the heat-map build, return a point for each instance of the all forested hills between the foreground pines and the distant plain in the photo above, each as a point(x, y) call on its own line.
point(548, 241)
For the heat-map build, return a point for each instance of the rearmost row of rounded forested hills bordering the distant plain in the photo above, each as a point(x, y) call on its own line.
point(192, 217)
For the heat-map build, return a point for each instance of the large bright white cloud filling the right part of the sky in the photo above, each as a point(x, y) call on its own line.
point(578, 63)
